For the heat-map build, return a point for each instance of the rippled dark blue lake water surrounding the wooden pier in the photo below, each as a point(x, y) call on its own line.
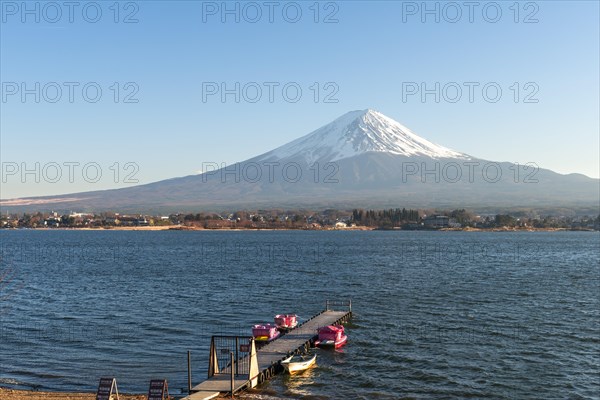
point(436, 314)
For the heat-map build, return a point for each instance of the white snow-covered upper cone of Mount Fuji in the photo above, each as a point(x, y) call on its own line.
point(360, 132)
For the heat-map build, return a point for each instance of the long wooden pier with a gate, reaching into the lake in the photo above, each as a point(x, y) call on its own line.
point(235, 362)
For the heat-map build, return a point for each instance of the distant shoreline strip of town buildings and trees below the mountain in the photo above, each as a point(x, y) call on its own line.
point(389, 219)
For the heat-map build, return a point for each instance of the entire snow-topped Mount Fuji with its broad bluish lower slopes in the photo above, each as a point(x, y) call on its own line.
point(361, 159)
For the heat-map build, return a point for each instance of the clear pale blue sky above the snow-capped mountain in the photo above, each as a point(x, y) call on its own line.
point(369, 54)
